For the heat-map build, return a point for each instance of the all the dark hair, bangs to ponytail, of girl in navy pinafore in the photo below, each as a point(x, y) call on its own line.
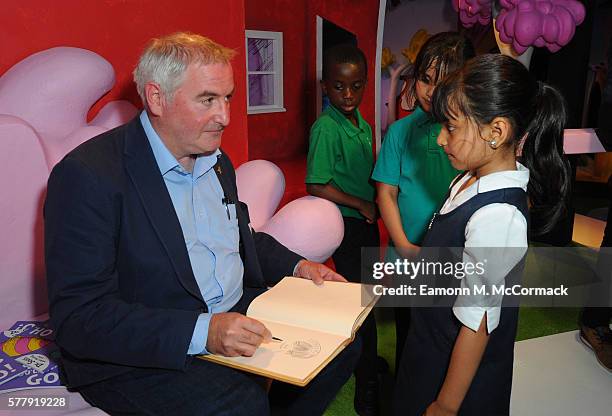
point(494, 85)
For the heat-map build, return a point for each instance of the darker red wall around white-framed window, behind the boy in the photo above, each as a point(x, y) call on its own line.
point(279, 136)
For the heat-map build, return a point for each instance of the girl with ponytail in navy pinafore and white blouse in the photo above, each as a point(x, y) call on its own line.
point(505, 130)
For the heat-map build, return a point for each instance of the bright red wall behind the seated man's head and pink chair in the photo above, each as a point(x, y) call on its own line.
point(118, 31)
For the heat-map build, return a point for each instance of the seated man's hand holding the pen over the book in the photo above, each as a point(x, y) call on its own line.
point(232, 334)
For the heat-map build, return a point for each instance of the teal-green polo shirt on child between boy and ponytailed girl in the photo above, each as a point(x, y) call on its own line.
point(411, 159)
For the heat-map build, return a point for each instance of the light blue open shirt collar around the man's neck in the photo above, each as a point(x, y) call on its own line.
point(166, 160)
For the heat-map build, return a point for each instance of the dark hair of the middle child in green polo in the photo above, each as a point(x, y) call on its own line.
point(445, 51)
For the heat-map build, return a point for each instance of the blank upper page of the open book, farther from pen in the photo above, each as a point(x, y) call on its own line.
point(331, 307)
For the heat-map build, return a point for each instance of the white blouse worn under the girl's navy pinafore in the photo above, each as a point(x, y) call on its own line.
point(494, 225)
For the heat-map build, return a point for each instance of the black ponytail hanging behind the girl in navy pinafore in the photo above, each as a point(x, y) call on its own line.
point(542, 154)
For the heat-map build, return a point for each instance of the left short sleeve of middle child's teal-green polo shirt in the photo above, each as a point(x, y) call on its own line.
point(387, 169)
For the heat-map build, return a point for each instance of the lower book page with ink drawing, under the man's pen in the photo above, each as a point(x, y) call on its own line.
point(296, 359)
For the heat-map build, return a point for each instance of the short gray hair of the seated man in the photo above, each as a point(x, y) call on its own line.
point(165, 60)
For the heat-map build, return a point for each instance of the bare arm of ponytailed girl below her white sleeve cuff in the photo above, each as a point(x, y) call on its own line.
point(465, 359)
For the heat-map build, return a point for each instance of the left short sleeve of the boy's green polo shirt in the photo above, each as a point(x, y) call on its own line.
point(321, 154)
